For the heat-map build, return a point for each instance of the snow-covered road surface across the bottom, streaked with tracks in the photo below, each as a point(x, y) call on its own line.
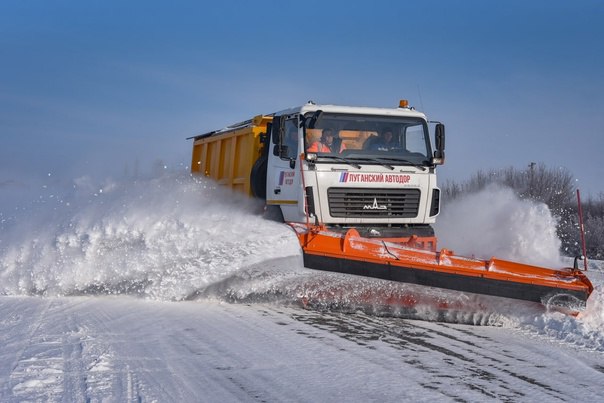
point(126, 349)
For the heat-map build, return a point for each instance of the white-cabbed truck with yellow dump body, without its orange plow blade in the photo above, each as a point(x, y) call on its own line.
point(382, 189)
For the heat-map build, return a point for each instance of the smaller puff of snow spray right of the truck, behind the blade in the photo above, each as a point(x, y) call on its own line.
point(495, 222)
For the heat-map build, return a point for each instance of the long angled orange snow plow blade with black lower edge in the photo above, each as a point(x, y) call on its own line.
point(352, 254)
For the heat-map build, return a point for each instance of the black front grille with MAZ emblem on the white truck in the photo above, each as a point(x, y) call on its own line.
point(376, 203)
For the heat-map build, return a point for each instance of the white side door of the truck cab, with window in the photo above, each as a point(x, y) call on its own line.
point(283, 174)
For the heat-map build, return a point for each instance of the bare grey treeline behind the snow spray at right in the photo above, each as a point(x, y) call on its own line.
point(554, 187)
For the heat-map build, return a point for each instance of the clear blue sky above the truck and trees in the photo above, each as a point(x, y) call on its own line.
point(99, 87)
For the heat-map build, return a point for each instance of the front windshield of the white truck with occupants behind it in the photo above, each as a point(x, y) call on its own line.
point(368, 139)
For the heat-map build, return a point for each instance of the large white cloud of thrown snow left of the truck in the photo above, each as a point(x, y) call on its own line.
point(161, 238)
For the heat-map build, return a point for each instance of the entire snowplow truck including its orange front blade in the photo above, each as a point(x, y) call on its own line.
point(358, 186)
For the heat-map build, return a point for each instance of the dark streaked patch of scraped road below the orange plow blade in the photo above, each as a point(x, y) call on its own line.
point(480, 364)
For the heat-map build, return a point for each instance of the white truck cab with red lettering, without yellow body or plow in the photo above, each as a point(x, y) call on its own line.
point(368, 168)
